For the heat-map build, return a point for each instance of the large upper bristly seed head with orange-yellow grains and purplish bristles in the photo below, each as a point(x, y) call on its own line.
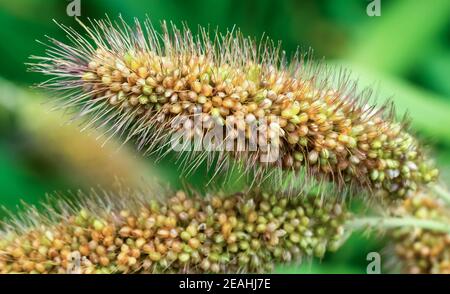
point(139, 82)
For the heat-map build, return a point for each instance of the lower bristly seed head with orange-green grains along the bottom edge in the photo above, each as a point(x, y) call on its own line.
point(182, 234)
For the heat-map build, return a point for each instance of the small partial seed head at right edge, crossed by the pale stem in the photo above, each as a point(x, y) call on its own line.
point(423, 251)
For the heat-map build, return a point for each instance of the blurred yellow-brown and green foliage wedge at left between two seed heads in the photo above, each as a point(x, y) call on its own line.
point(43, 153)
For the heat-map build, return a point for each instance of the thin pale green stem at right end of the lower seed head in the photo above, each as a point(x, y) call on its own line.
point(396, 222)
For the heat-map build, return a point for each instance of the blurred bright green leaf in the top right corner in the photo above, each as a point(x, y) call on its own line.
point(403, 35)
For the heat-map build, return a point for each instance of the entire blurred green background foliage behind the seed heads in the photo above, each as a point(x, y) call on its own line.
point(404, 54)
